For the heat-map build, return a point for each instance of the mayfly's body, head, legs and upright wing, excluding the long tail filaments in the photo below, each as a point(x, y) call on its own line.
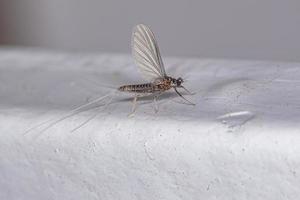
point(147, 57)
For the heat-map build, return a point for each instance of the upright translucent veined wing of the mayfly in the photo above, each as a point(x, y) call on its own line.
point(146, 53)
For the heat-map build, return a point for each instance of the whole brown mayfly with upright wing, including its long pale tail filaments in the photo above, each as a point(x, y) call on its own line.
point(147, 57)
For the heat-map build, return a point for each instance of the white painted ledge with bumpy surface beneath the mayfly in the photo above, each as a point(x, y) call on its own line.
point(241, 141)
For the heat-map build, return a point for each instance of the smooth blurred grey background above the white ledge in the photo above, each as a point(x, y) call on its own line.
point(249, 29)
